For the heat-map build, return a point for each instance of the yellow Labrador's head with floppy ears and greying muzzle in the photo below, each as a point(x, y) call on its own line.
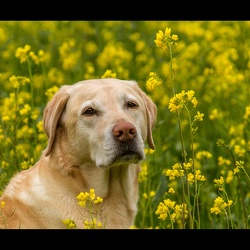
point(105, 121)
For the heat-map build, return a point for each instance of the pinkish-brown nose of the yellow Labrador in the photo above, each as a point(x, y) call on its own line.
point(124, 131)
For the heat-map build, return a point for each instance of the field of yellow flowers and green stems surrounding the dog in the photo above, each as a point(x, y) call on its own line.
point(197, 72)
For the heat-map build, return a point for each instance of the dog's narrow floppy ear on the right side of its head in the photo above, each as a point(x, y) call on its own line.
point(151, 111)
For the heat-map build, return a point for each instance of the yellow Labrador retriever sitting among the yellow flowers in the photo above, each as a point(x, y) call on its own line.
point(96, 131)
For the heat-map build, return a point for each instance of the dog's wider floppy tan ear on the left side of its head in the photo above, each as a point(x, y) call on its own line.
point(52, 113)
